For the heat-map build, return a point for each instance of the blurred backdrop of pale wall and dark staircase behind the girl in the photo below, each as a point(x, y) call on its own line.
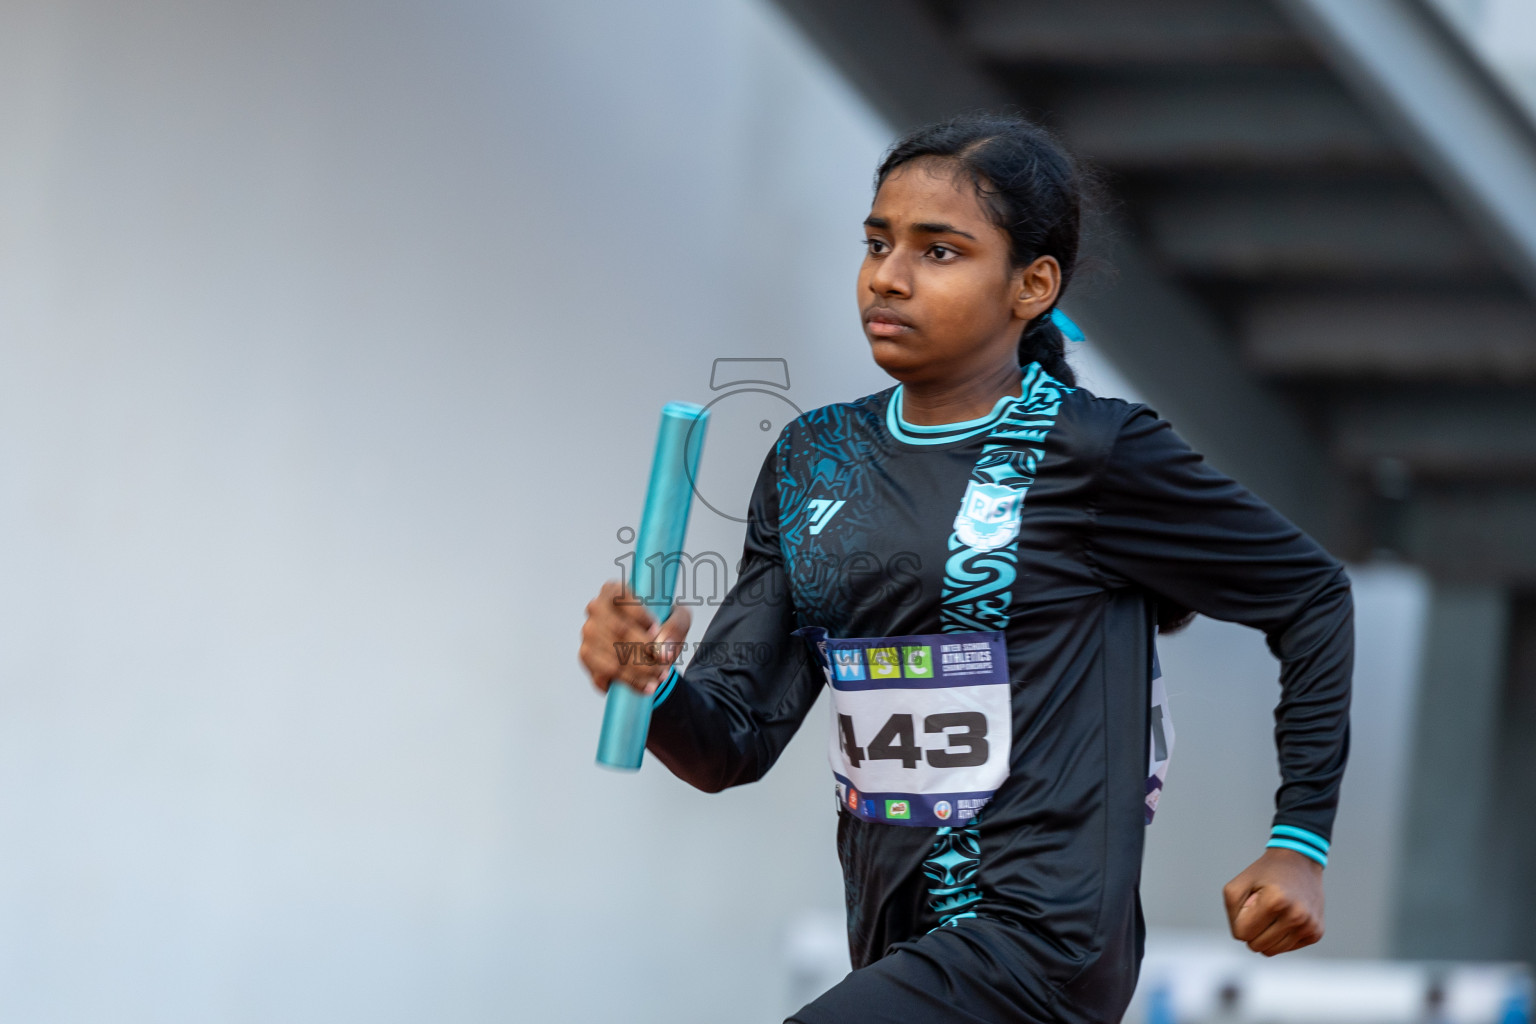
point(333, 340)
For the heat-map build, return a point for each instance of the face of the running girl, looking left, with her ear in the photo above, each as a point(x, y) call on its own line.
point(939, 294)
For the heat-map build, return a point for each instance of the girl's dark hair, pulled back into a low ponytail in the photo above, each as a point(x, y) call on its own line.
point(1031, 188)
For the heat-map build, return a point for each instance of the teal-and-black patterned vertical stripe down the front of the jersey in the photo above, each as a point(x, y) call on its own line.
point(978, 595)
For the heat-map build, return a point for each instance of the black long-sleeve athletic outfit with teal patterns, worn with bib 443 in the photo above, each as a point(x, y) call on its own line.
point(1050, 530)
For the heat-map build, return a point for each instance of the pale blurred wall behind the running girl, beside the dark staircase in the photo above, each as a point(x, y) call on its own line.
point(333, 340)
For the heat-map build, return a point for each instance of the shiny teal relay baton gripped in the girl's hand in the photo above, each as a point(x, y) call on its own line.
point(654, 575)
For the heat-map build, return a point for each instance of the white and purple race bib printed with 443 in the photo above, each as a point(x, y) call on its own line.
point(922, 727)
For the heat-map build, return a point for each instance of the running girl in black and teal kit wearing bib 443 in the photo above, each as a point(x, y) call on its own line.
point(975, 563)
